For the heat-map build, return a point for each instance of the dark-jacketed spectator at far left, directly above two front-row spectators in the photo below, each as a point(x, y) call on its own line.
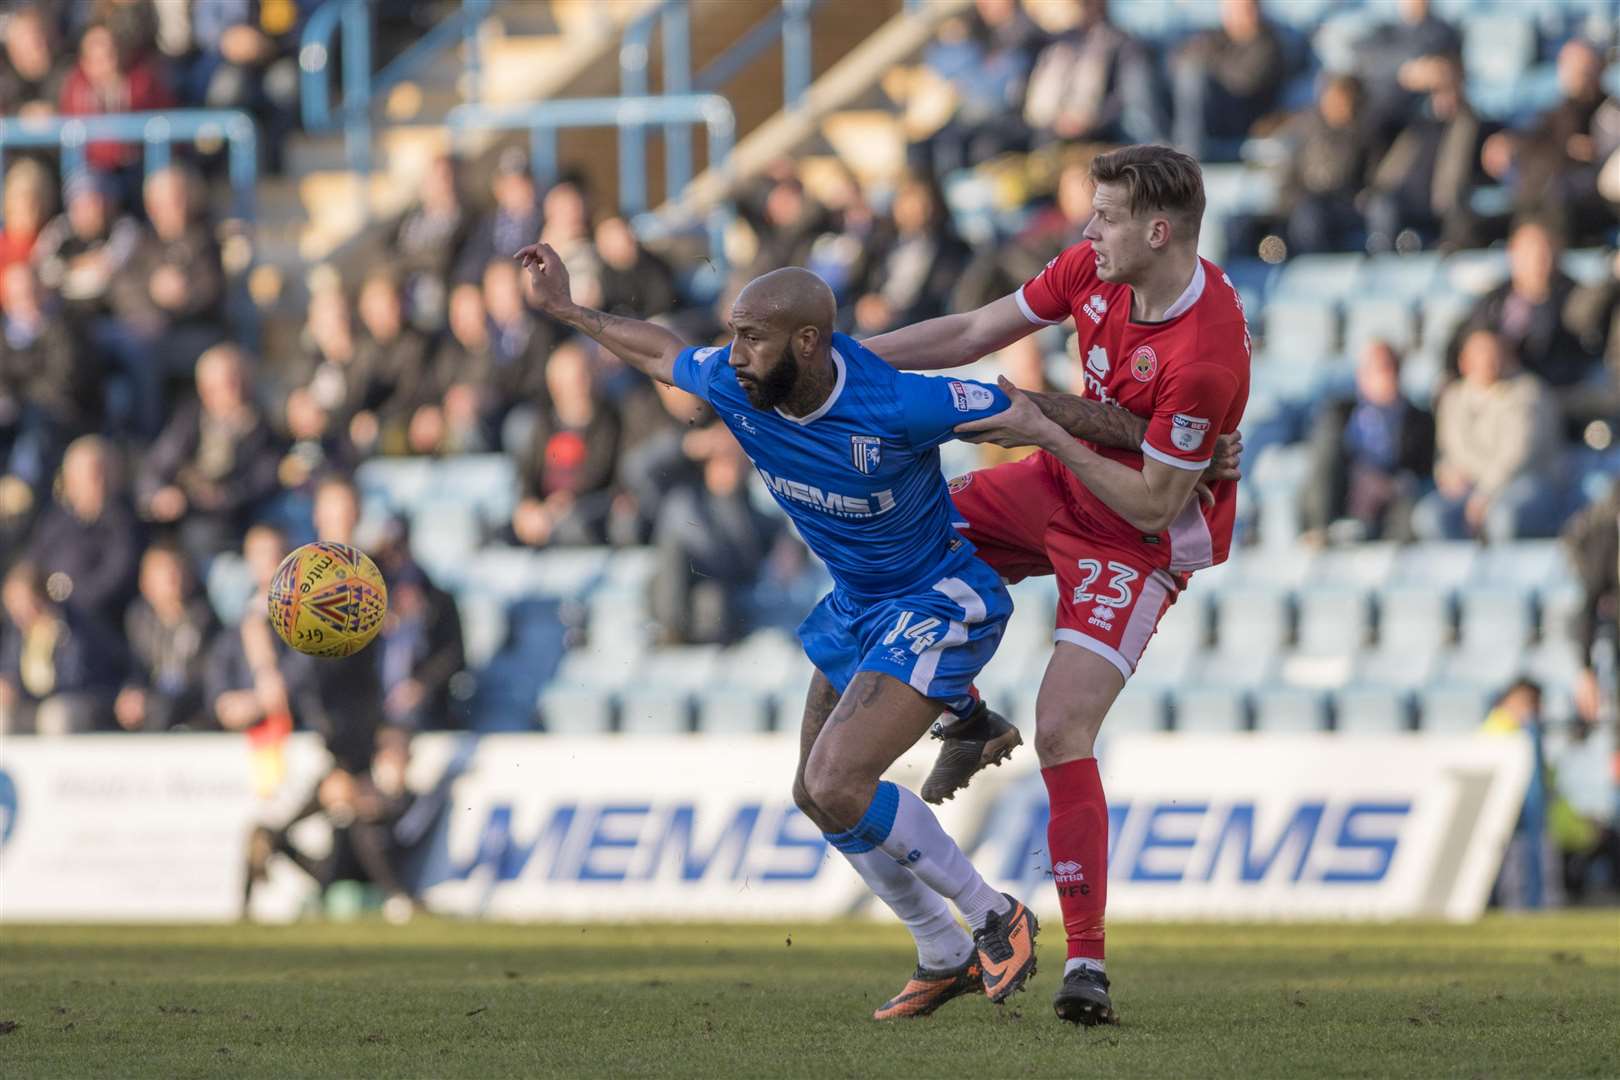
point(88, 542)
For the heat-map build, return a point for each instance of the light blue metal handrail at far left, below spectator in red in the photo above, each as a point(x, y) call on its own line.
point(158, 130)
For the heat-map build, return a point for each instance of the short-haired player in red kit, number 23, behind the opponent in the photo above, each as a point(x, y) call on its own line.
point(1123, 519)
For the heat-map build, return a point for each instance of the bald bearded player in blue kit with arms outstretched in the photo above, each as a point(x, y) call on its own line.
point(850, 449)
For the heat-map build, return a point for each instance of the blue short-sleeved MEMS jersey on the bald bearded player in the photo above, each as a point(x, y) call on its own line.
point(859, 477)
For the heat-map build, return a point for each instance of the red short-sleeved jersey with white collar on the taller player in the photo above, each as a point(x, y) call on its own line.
point(1188, 376)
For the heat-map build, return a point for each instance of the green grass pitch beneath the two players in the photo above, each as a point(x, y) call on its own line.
point(1514, 997)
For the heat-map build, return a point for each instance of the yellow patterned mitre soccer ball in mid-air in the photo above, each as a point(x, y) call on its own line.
point(328, 600)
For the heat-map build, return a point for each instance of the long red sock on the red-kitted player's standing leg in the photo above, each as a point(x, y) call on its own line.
point(1078, 843)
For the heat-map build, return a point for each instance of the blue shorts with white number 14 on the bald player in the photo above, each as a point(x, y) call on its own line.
point(936, 640)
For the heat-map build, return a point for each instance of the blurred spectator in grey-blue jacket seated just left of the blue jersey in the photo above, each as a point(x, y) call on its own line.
point(712, 546)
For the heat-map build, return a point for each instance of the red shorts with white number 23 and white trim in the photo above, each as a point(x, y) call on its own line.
point(1111, 598)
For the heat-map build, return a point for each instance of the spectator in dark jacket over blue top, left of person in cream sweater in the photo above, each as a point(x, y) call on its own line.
point(1370, 456)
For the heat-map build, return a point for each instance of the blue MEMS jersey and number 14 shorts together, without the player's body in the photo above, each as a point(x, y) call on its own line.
point(861, 480)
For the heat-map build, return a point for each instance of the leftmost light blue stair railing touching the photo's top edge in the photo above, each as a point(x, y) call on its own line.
point(347, 25)
